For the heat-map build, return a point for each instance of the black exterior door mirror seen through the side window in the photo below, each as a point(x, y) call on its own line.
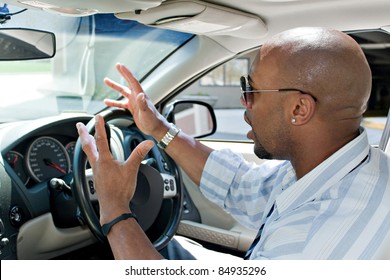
point(195, 118)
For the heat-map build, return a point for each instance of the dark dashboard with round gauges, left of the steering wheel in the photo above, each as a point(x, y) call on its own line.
point(32, 153)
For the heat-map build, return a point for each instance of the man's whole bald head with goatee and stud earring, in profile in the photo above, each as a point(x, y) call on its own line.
point(333, 82)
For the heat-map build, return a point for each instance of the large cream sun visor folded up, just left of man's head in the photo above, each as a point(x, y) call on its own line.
point(200, 18)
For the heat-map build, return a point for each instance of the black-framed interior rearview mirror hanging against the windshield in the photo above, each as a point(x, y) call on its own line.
point(24, 44)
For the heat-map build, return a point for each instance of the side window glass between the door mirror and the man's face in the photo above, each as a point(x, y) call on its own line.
point(221, 89)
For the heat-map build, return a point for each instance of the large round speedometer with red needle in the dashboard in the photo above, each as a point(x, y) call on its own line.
point(47, 158)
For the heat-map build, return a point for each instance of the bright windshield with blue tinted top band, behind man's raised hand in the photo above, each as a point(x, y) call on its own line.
point(87, 50)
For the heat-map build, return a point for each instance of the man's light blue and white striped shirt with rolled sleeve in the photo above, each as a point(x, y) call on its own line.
point(339, 210)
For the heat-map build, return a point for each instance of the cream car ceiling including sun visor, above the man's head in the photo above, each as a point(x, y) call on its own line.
point(274, 15)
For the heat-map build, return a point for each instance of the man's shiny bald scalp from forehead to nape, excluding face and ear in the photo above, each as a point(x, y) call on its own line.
point(327, 63)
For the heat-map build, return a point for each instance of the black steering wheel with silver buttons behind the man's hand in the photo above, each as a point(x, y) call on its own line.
point(158, 198)
